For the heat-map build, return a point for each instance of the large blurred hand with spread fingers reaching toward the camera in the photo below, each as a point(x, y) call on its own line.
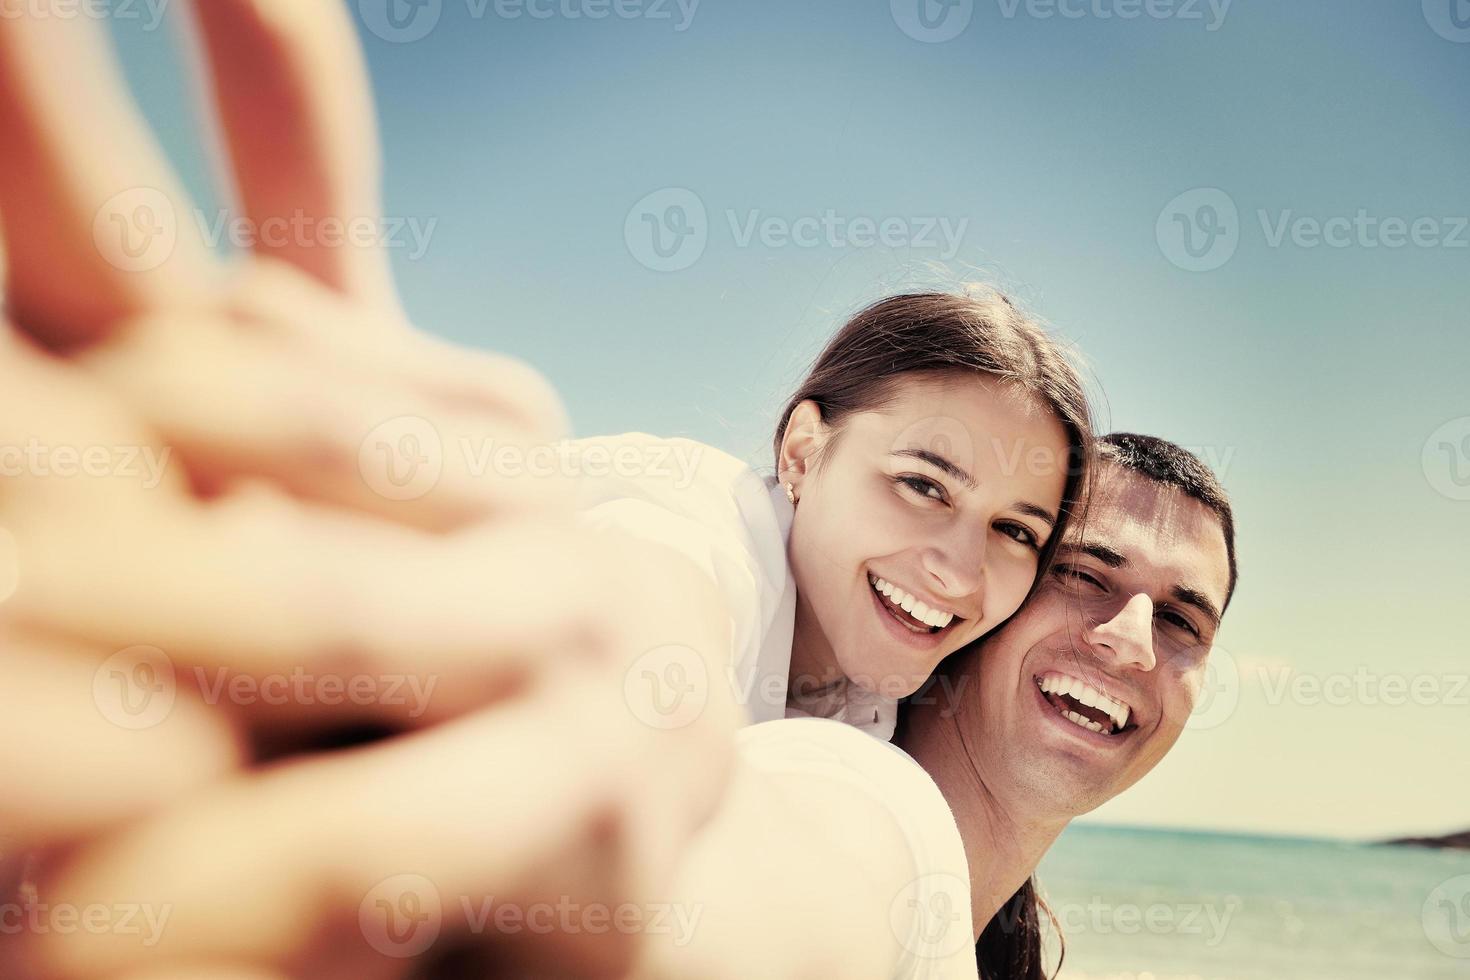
point(208, 506)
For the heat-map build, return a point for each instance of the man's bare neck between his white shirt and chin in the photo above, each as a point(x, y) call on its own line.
point(1002, 846)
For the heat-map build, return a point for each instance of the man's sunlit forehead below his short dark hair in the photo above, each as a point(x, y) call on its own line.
point(1156, 528)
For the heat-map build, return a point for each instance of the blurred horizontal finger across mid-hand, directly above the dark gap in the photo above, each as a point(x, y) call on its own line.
point(261, 587)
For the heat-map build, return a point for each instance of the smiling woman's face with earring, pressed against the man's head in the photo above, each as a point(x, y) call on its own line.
point(919, 525)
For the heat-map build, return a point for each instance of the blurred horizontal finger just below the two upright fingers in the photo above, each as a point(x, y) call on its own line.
point(255, 405)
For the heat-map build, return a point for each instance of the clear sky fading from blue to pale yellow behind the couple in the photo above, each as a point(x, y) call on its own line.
point(1066, 149)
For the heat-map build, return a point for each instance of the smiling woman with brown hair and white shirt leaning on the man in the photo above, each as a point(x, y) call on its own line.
point(925, 469)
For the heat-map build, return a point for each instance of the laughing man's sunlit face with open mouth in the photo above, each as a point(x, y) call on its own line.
point(1130, 612)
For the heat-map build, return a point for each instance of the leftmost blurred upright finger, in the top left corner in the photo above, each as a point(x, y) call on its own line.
point(95, 224)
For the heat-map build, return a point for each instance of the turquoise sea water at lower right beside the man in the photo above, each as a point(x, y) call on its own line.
point(1187, 906)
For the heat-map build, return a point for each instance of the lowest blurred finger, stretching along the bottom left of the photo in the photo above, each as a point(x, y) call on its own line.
point(424, 825)
